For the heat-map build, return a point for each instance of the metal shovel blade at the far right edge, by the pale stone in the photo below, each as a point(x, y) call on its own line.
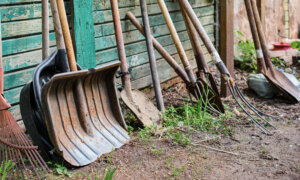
point(284, 85)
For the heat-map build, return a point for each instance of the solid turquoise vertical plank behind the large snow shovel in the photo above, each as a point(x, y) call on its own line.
point(84, 33)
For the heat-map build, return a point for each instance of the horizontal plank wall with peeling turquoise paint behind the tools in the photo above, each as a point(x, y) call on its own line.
point(21, 33)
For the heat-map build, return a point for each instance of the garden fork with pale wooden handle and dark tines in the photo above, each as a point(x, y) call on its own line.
point(202, 93)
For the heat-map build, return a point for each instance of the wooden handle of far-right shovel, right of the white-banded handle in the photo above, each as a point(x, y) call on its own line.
point(261, 35)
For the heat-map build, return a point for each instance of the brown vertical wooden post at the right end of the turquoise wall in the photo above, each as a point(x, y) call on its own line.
point(226, 47)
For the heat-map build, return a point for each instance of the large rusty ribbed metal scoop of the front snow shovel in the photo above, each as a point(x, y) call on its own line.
point(103, 114)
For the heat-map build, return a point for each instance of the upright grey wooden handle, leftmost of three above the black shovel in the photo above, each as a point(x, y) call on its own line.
point(45, 30)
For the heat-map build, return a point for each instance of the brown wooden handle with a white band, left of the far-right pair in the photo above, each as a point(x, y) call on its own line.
point(261, 66)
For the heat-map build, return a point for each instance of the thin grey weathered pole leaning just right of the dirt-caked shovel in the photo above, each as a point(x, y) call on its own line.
point(151, 54)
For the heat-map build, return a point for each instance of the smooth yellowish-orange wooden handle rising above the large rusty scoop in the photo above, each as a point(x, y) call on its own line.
point(66, 34)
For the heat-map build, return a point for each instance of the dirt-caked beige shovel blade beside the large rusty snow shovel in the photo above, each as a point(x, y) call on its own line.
point(141, 107)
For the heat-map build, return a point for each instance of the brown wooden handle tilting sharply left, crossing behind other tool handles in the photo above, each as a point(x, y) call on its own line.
point(170, 60)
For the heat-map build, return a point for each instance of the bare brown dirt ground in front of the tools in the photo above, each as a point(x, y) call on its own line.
point(245, 154)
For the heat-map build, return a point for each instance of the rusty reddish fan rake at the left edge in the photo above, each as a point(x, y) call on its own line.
point(14, 144)
